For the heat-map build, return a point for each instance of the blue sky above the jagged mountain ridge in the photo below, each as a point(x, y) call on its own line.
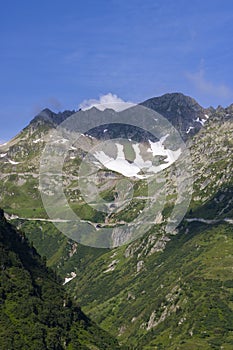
point(58, 53)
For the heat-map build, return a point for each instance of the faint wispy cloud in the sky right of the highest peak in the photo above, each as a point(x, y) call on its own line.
point(207, 87)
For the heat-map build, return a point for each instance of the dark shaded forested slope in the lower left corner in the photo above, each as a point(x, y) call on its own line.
point(36, 313)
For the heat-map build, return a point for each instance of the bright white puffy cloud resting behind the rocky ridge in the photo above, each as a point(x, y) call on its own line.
point(106, 101)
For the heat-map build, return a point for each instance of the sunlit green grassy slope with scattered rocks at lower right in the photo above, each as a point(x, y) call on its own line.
point(189, 287)
